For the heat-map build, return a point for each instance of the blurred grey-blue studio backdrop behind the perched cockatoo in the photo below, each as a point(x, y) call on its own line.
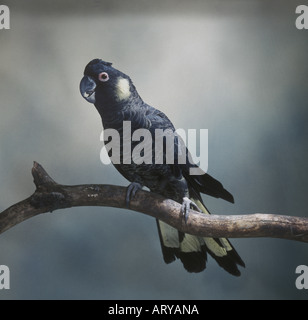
point(237, 68)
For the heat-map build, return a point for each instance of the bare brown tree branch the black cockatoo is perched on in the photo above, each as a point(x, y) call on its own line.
point(50, 196)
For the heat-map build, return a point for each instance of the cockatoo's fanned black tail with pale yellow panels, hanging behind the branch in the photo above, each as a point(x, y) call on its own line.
point(192, 250)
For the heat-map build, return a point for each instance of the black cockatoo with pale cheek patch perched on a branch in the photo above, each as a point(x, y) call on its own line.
point(117, 100)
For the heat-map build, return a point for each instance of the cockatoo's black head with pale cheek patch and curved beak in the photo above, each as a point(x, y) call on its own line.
point(102, 84)
